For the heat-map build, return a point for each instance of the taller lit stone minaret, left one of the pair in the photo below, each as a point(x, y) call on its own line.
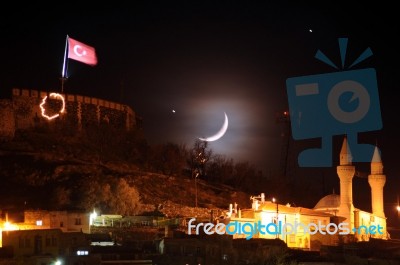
point(346, 171)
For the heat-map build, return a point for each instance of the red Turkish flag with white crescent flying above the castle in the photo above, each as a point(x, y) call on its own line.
point(81, 52)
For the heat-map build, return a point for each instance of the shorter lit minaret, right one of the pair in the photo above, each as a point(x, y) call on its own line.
point(377, 181)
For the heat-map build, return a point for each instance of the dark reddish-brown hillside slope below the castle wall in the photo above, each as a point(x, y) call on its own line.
point(51, 171)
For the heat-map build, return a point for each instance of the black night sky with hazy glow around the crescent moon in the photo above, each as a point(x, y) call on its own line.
point(202, 59)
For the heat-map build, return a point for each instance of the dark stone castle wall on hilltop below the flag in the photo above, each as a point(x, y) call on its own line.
point(23, 111)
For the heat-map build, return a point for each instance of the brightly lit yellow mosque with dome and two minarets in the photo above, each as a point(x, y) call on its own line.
point(333, 213)
